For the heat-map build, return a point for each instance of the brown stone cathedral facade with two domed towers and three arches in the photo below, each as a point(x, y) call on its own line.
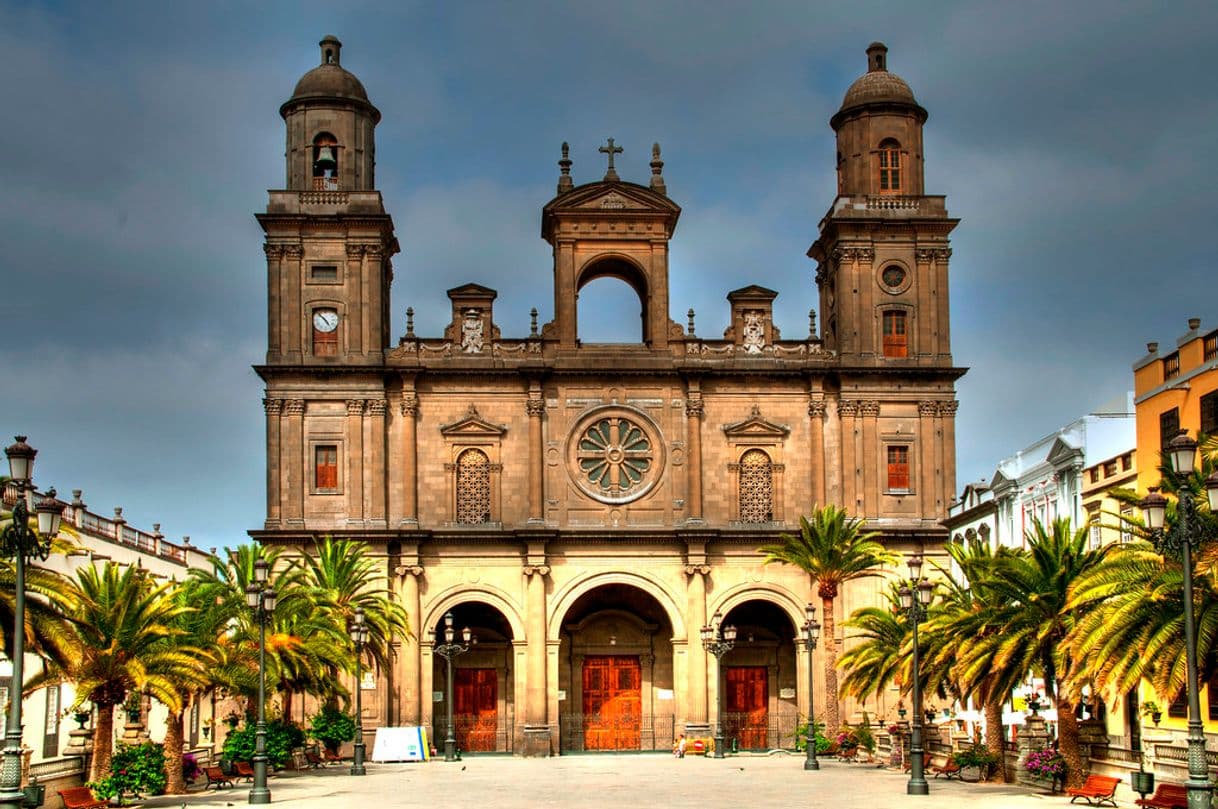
point(586, 510)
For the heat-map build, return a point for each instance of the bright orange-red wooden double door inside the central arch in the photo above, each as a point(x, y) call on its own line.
point(613, 704)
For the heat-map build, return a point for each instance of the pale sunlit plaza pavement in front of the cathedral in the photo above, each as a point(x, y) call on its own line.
point(656, 782)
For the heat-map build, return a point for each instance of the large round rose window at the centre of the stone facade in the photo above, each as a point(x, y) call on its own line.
point(616, 455)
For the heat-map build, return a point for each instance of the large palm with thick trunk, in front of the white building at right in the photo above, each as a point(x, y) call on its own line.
point(1031, 621)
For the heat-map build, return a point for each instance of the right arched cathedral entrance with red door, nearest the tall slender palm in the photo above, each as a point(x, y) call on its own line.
point(759, 679)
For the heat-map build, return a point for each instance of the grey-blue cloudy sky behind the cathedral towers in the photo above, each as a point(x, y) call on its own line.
point(1076, 142)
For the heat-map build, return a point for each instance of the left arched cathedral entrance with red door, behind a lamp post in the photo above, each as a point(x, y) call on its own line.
point(483, 685)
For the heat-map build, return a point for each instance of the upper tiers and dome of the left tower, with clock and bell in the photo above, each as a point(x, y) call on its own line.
point(328, 237)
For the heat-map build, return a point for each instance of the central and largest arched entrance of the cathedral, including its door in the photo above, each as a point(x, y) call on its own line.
point(616, 673)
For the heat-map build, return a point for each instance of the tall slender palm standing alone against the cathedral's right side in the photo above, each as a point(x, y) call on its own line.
point(833, 549)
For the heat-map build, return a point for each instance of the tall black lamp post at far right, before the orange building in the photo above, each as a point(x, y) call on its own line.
point(1183, 538)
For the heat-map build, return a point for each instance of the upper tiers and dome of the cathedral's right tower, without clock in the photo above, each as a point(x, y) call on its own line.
point(882, 253)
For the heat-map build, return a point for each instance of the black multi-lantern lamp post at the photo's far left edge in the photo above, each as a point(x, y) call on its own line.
point(21, 544)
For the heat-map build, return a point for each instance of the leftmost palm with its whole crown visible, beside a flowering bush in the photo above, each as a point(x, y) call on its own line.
point(122, 622)
